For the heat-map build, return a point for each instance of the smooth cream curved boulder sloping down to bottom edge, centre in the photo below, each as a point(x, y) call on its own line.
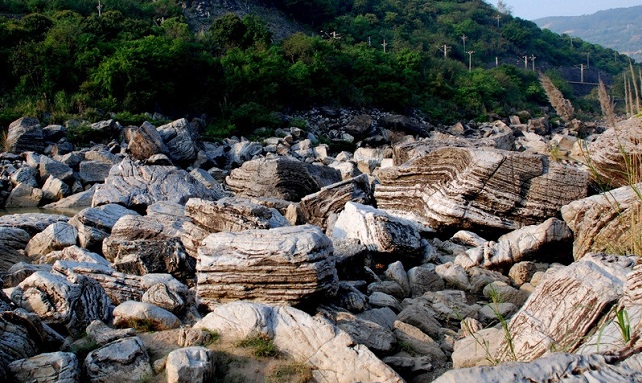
point(330, 352)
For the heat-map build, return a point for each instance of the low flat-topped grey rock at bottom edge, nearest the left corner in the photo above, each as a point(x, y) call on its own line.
point(56, 367)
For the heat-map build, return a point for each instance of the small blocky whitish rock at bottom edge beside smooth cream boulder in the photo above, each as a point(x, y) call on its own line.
point(191, 364)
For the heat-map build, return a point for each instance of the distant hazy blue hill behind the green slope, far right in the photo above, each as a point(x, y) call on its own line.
point(620, 28)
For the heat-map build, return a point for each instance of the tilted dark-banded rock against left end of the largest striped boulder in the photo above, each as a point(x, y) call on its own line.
point(323, 207)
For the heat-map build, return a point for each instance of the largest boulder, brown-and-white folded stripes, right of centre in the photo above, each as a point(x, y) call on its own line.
point(479, 189)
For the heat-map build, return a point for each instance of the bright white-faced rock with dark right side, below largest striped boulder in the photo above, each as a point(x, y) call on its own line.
point(378, 230)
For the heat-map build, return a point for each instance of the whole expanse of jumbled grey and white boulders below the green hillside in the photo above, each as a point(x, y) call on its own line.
point(473, 252)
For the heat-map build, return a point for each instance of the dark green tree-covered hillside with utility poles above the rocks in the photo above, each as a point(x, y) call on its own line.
point(239, 61)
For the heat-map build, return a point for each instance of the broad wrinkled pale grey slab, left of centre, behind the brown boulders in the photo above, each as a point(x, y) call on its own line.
point(138, 186)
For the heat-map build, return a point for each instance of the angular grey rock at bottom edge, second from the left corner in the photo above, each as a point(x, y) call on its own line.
point(124, 360)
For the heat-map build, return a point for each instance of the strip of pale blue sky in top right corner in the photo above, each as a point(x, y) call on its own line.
point(530, 10)
